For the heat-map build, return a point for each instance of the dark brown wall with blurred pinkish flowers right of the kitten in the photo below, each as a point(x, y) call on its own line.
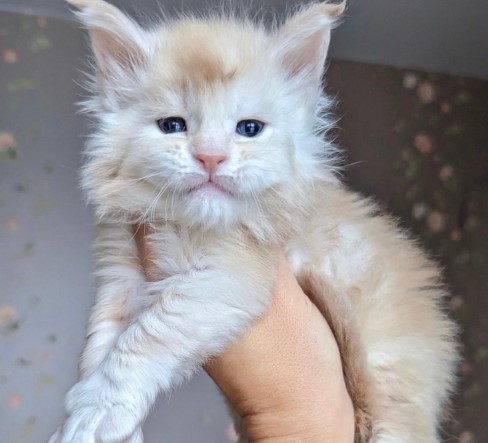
point(418, 142)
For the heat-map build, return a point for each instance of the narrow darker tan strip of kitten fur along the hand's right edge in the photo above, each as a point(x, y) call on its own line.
point(338, 313)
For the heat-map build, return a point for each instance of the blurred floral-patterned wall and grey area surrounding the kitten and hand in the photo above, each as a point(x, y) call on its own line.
point(410, 79)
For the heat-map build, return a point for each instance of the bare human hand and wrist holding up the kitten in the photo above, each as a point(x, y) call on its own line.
point(284, 376)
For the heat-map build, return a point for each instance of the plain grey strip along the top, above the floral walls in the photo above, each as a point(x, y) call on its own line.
point(438, 35)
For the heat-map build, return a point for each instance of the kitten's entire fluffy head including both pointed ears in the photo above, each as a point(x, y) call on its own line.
point(208, 122)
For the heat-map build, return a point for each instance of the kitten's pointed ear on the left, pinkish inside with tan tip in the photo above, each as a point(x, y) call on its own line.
point(117, 41)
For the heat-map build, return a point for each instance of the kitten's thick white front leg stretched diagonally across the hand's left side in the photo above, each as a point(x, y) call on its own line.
point(197, 315)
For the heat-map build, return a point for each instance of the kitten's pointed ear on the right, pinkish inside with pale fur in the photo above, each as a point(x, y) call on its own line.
point(303, 40)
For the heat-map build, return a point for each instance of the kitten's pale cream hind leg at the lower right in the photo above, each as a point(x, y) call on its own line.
point(411, 359)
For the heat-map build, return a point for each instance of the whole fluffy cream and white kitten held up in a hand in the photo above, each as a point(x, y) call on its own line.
point(211, 131)
